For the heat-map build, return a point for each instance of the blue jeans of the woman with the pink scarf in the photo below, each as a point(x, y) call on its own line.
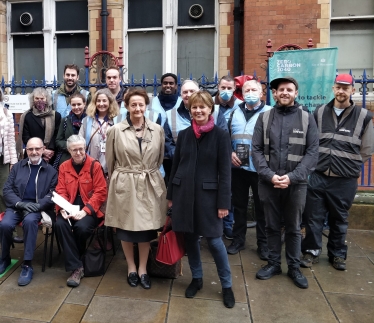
point(219, 253)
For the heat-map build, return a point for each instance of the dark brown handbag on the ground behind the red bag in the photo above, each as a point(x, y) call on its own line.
point(158, 269)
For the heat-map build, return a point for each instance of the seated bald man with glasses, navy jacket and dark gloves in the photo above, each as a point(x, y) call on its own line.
point(27, 192)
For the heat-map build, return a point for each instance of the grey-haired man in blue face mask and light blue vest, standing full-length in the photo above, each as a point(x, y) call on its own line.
point(243, 176)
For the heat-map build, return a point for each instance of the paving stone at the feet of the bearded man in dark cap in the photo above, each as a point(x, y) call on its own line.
point(279, 300)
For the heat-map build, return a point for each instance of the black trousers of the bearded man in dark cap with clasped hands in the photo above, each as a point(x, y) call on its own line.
point(288, 204)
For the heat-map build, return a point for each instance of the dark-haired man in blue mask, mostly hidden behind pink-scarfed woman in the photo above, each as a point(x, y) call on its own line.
point(226, 102)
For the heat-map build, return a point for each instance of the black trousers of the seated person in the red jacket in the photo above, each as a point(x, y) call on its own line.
point(74, 238)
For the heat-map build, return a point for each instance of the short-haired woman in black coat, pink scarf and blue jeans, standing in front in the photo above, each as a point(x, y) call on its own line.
point(199, 191)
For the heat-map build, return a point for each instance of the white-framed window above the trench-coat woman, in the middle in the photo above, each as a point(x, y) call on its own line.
point(167, 38)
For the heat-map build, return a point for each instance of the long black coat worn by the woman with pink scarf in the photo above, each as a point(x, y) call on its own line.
point(200, 181)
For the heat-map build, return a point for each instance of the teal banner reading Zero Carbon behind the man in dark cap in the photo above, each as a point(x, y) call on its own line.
point(313, 69)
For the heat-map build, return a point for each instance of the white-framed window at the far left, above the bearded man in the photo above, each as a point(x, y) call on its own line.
point(45, 36)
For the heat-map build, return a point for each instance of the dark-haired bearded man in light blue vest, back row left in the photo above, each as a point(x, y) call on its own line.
point(69, 87)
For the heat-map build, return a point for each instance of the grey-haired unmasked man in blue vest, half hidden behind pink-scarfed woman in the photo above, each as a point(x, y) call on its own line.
point(179, 119)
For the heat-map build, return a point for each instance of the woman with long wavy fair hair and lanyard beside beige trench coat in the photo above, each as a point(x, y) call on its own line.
point(100, 114)
